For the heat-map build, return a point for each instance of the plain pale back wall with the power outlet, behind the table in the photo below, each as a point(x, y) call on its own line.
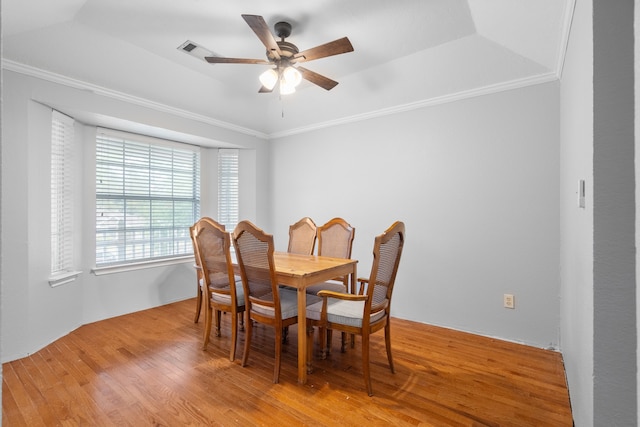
point(476, 183)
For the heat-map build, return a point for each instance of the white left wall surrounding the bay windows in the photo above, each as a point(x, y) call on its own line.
point(33, 313)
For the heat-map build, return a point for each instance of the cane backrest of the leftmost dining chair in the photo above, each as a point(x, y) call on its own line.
point(212, 245)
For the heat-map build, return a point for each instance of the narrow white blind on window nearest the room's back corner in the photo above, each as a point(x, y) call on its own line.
point(228, 188)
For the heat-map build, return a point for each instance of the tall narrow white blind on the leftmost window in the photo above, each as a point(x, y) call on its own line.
point(61, 193)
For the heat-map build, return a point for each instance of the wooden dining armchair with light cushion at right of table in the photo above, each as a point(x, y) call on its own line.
point(367, 311)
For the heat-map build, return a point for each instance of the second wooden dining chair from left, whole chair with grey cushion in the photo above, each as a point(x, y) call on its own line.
point(266, 301)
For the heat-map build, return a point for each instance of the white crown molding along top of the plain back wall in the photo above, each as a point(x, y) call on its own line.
point(485, 90)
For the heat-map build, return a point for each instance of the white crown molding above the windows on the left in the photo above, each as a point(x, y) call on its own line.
point(120, 96)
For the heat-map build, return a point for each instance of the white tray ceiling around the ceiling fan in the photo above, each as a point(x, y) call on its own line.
point(407, 53)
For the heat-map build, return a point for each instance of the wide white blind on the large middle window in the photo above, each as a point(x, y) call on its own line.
point(147, 197)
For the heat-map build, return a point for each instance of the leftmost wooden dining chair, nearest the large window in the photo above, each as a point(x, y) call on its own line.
point(220, 290)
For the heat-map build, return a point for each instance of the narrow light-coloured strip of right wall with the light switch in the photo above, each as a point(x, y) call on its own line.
point(577, 224)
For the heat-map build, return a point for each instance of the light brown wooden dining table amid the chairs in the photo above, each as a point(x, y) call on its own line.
point(300, 272)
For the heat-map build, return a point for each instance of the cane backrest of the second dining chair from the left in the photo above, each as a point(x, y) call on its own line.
point(254, 252)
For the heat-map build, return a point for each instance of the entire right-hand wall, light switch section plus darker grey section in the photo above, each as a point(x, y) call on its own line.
point(598, 250)
